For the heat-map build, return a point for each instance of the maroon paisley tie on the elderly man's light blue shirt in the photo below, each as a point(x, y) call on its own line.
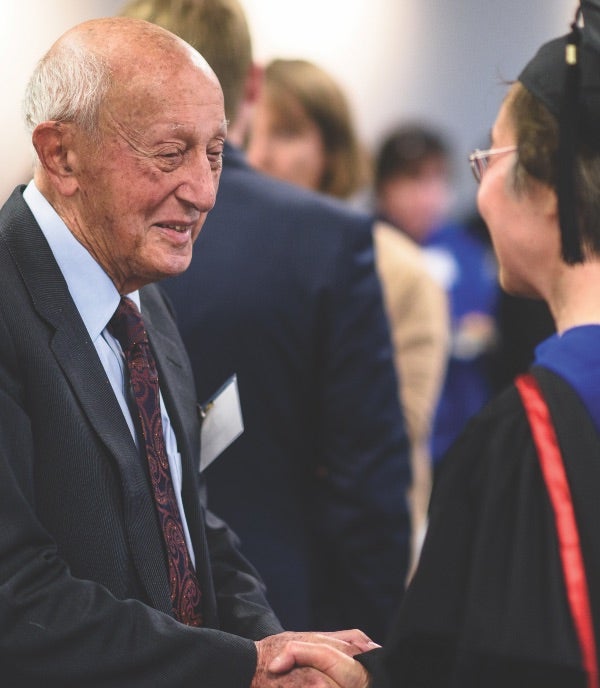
point(127, 327)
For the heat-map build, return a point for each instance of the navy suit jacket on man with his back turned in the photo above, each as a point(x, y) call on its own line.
point(282, 290)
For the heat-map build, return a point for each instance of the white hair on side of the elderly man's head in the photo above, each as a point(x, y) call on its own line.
point(67, 85)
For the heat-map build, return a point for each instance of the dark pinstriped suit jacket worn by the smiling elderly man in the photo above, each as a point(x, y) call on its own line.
point(84, 593)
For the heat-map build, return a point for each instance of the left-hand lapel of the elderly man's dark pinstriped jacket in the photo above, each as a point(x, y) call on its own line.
point(77, 357)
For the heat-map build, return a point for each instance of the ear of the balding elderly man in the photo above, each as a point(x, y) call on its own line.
point(53, 142)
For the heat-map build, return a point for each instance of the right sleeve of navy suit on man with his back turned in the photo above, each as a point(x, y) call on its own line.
point(363, 455)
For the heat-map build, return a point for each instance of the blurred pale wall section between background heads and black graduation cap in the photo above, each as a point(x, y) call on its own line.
point(442, 61)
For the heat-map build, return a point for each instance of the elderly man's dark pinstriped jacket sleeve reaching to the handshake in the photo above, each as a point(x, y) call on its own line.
point(59, 630)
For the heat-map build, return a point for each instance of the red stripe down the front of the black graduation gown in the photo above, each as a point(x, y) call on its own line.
point(555, 477)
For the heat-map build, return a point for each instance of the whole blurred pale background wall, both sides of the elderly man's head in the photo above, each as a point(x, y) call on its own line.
point(439, 60)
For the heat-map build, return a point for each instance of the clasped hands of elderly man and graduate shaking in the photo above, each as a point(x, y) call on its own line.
point(314, 660)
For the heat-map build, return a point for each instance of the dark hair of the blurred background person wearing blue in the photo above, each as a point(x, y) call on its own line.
point(405, 150)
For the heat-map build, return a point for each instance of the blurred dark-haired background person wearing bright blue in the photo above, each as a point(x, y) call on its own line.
point(413, 192)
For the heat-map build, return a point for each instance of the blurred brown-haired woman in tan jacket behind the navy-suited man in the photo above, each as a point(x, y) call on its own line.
point(302, 132)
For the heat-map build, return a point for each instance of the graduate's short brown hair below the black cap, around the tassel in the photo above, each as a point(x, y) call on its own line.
point(537, 141)
